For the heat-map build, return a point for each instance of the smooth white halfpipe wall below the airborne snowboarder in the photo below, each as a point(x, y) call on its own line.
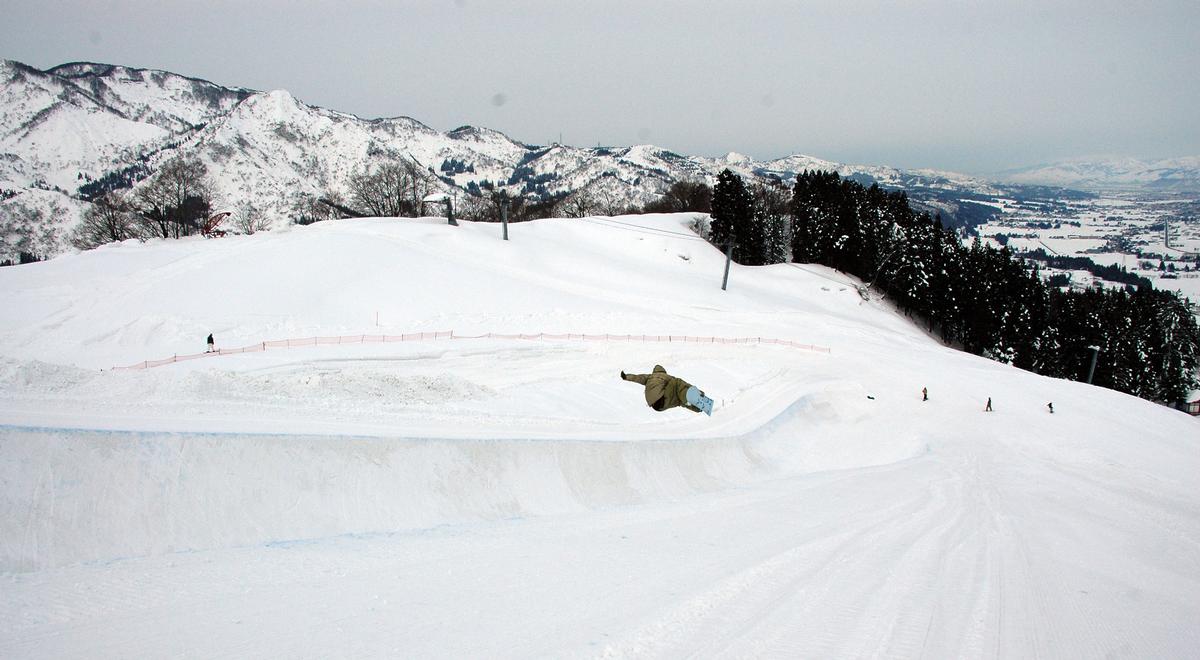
point(99, 496)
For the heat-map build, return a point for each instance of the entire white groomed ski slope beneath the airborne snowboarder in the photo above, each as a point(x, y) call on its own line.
point(514, 499)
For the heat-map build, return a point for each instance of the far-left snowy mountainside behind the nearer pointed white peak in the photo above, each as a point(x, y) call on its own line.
point(69, 127)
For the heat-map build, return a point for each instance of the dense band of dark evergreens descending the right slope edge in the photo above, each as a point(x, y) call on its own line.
point(991, 301)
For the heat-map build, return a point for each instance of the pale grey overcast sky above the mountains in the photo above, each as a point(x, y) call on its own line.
point(967, 86)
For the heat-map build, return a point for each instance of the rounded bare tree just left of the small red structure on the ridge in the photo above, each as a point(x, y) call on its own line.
point(177, 201)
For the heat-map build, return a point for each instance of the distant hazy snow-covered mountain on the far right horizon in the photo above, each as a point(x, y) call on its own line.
point(1114, 175)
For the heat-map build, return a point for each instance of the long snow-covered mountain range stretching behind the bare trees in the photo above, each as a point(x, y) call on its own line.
point(77, 124)
